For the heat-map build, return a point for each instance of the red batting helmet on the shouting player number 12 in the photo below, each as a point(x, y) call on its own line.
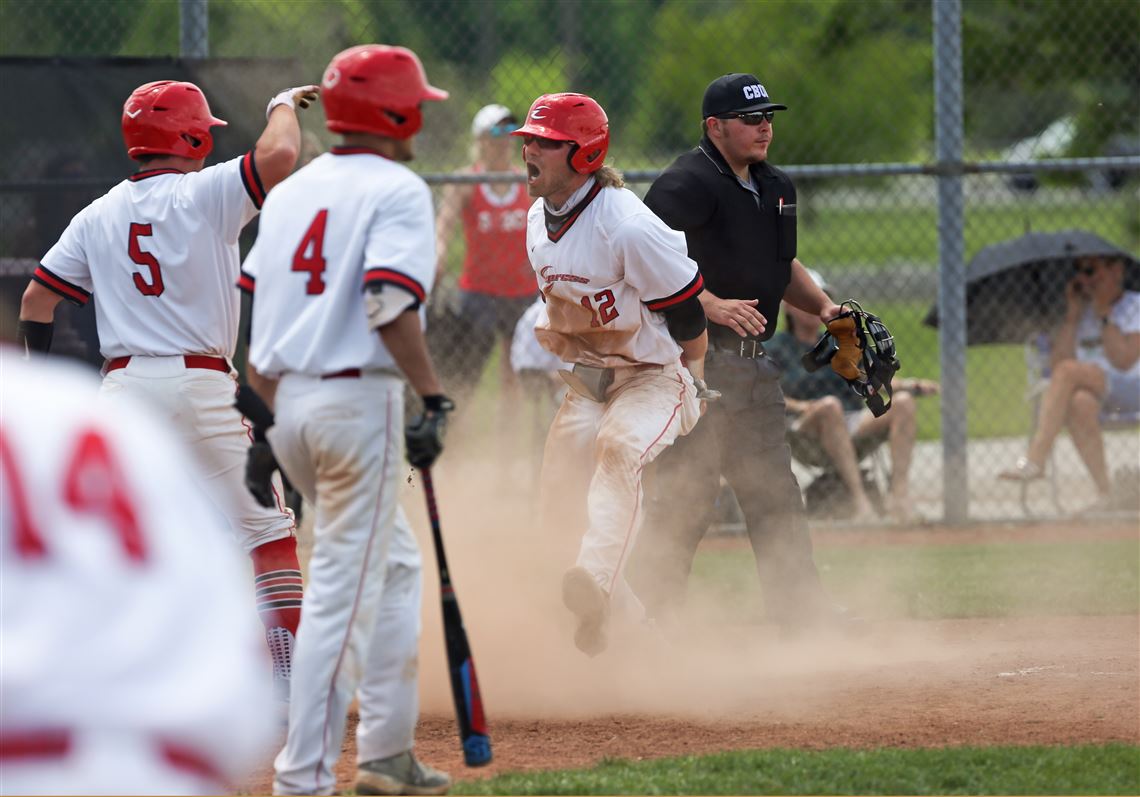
point(572, 118)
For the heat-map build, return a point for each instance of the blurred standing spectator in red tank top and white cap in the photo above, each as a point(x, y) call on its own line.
point(496, 284)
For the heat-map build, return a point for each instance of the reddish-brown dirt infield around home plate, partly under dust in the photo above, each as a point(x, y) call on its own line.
point(1022, 681)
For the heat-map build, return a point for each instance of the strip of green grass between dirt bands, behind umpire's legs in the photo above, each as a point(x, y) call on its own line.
point(931, 582)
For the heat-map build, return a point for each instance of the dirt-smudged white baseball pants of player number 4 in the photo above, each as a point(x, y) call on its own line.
point(341, 443)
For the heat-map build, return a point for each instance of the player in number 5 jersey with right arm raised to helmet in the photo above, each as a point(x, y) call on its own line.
point(160, 254)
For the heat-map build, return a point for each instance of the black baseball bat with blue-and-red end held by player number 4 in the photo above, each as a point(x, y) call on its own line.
point(461, 666)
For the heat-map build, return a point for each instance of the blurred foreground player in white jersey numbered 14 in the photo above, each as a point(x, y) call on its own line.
point(121, 674)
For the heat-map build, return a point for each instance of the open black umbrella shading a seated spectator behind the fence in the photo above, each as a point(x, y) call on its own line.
point(1017, 288)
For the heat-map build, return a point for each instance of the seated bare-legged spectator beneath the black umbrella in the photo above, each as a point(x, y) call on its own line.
point(1096, 367)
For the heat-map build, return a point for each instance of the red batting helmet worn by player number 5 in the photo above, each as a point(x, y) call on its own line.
point(168, 118)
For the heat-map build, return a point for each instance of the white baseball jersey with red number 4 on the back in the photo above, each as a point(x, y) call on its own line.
point(349, 219)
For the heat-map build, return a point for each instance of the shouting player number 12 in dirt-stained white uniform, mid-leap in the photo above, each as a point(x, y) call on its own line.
point(622, 306)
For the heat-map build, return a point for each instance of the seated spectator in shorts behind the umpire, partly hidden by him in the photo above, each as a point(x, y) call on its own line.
point(824, 409)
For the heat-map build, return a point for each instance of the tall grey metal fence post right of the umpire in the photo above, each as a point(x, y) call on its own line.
point(948, 92)
